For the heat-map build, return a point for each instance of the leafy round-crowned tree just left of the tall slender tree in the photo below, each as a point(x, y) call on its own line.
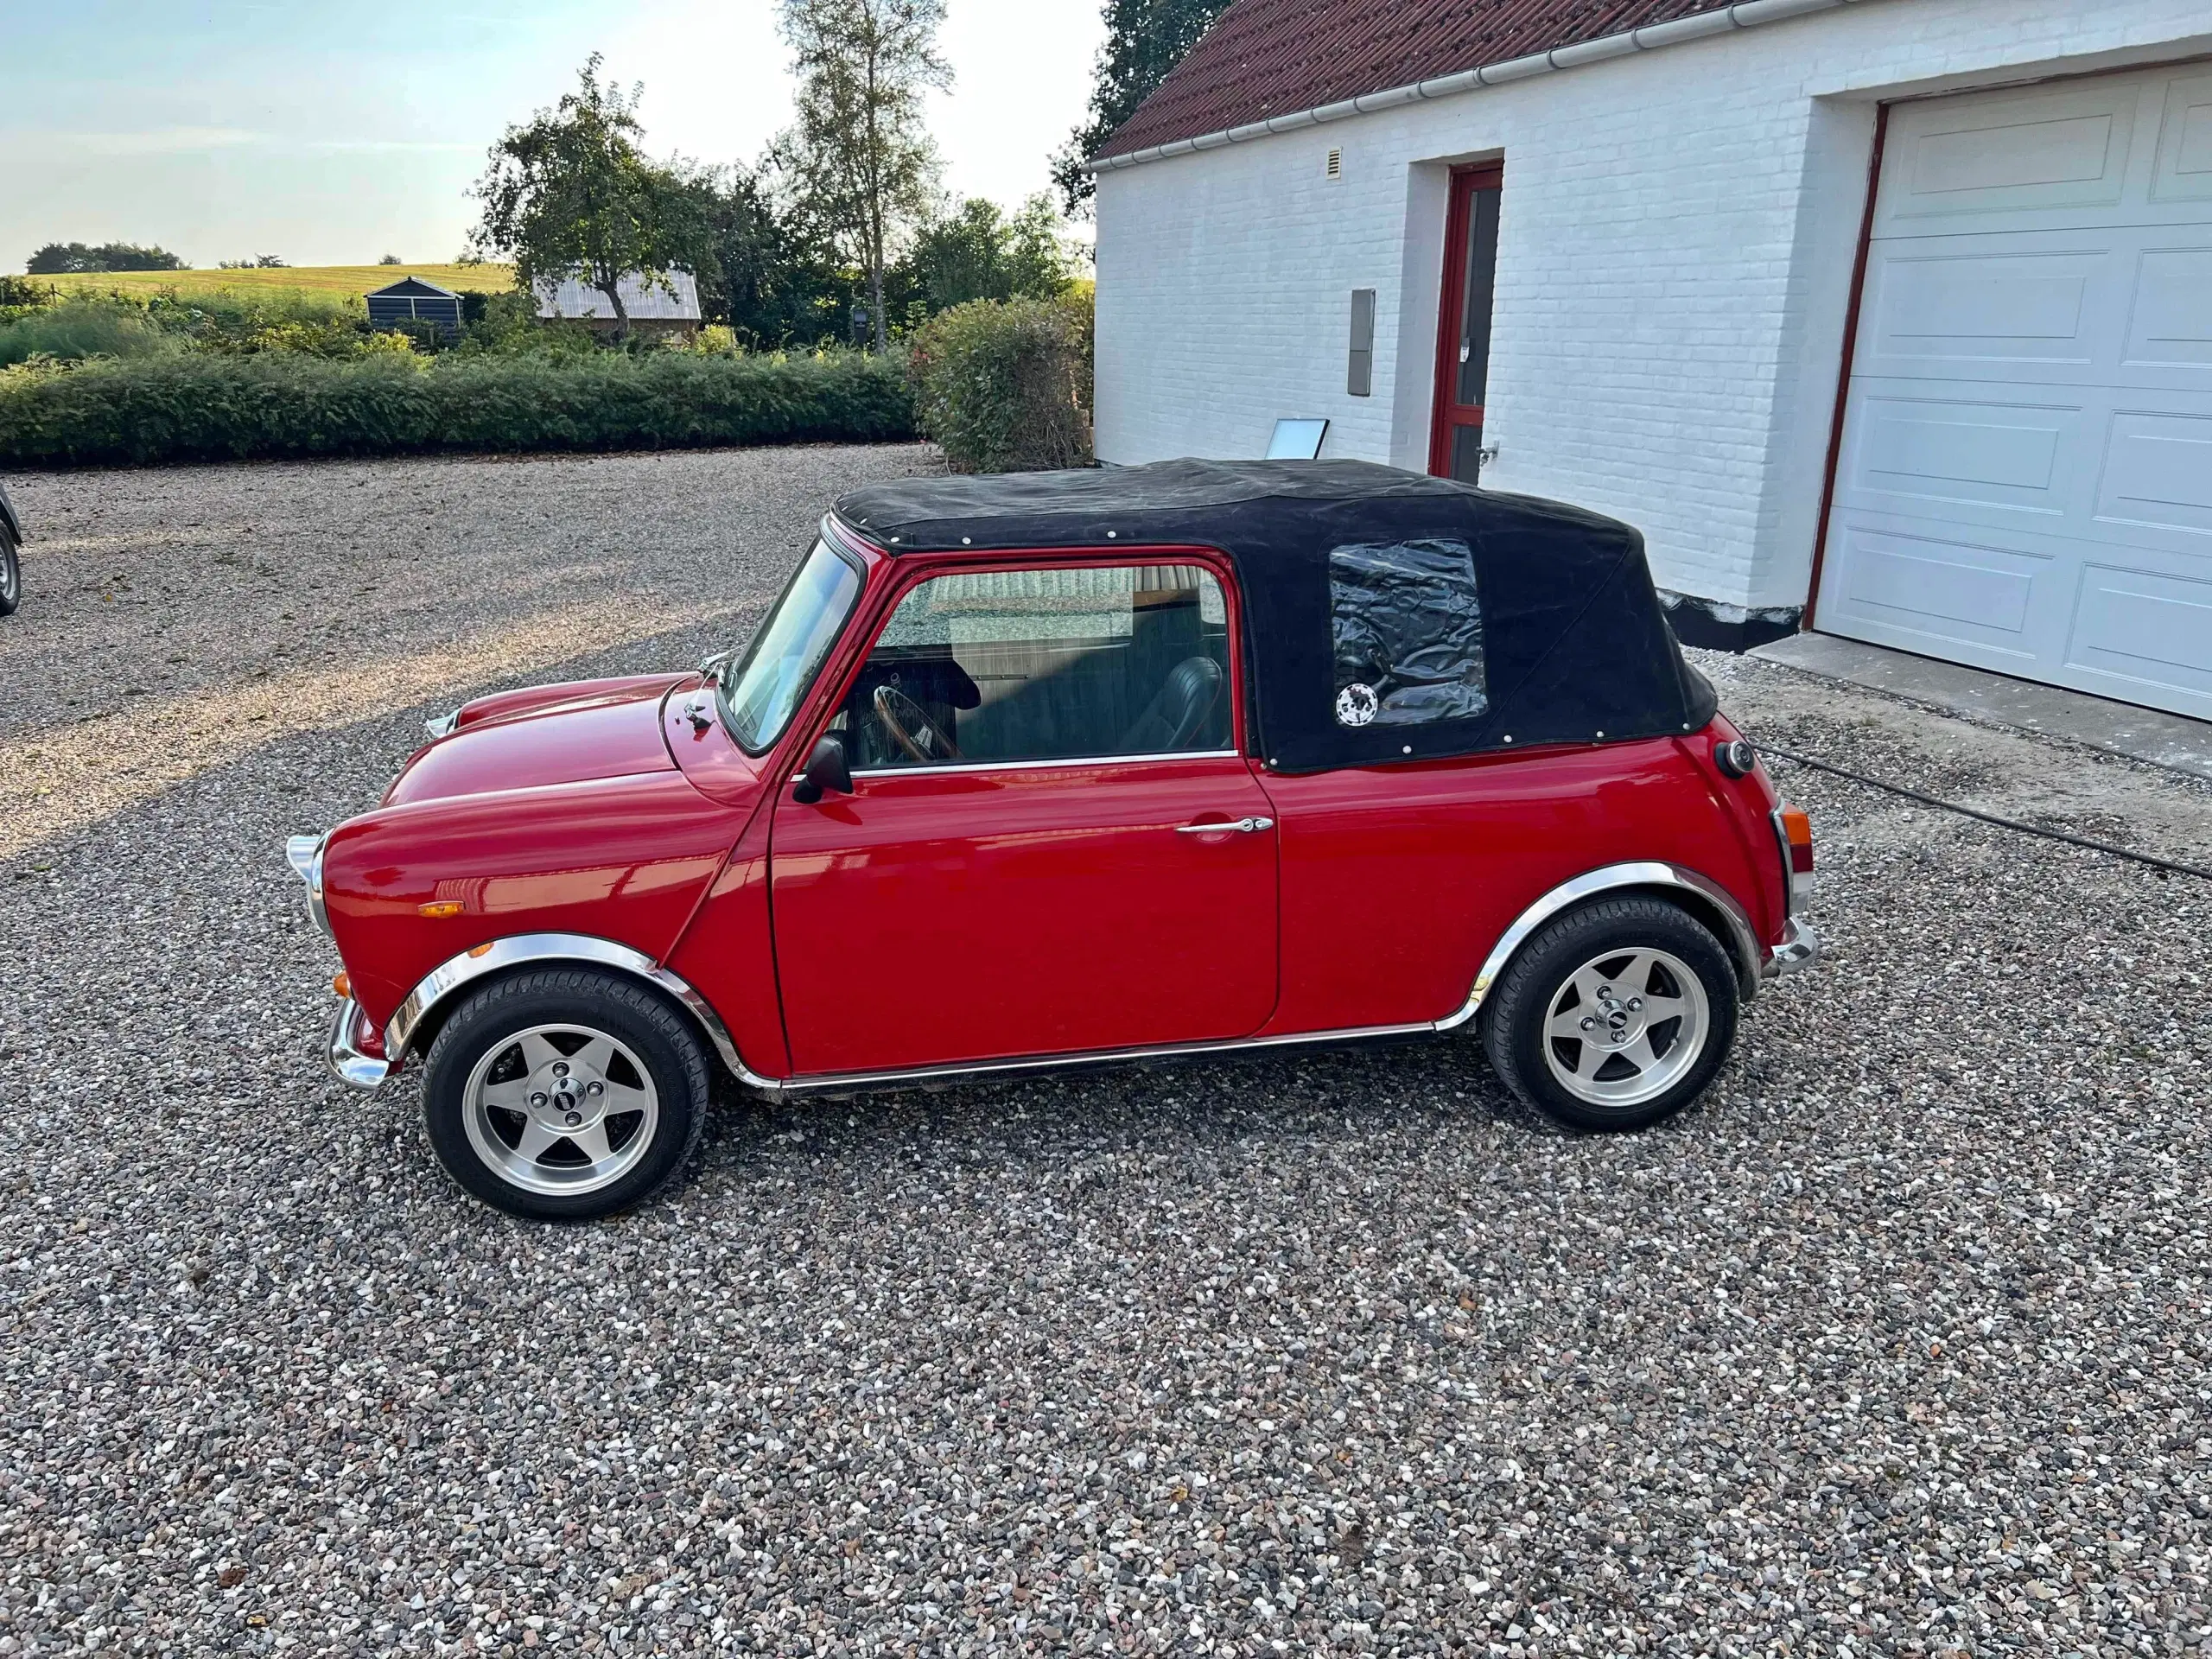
point(572, 196)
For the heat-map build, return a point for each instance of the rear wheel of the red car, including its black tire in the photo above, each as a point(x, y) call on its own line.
point(1629, 939)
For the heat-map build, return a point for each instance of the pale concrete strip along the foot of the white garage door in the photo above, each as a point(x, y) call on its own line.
point(2096, 722)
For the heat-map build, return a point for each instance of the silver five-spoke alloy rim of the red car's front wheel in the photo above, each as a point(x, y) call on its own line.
point(561, 1109)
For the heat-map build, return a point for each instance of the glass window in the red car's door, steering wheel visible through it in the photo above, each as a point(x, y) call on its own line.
point(1045, 667)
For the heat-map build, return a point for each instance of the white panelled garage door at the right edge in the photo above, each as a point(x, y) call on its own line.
point(2027, 459)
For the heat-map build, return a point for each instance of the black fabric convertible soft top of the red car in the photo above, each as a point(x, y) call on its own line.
point(1574, 643)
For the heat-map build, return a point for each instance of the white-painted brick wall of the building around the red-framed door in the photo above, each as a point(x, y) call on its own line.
point(1673, 269)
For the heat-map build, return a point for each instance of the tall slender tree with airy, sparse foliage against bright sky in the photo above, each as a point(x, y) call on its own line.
point(859, 160)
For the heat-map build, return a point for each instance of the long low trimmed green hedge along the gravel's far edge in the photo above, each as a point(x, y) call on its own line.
point(236, 408)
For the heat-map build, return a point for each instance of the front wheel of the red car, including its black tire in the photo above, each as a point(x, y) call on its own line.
point(656, 1058)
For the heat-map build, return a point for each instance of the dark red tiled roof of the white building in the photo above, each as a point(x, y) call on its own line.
point(1282, 56)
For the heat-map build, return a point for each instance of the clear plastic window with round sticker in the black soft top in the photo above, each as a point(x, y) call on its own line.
point(1408, 634)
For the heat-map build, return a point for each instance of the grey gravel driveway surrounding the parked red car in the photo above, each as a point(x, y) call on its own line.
point(1895, 1346)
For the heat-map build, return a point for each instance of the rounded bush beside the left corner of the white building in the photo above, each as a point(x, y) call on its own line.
point(1005, 388)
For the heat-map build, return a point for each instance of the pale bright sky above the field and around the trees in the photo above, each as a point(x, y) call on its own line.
point(222, 129)
